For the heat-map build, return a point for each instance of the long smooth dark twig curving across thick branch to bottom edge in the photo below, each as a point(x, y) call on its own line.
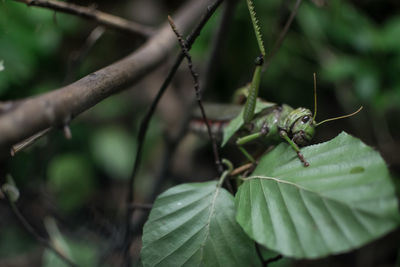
point(146, 120)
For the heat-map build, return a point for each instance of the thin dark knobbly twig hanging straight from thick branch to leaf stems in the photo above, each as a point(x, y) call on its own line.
point(198, 95)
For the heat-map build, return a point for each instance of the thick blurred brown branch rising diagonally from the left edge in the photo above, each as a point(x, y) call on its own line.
point(25, 118)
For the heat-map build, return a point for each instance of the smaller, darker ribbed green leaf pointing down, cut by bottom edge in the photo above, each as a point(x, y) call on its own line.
point(194, 225)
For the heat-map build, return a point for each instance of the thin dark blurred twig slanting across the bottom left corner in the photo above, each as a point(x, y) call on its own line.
point(29, 228)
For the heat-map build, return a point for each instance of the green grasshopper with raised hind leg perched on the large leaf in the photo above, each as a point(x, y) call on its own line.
point(271, 123)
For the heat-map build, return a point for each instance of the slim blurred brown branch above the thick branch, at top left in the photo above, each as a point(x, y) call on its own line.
point(102, 18)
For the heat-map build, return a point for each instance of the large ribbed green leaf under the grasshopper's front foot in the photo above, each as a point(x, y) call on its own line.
point(343, 200)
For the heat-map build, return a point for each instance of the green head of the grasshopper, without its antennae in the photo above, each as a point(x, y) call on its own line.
point(301, 126)
